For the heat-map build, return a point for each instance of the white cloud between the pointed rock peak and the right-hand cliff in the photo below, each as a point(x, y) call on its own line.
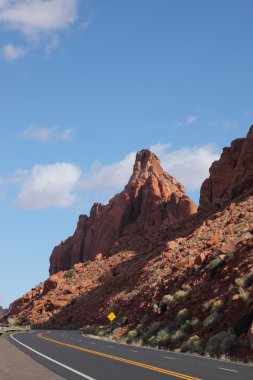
point(189, 165)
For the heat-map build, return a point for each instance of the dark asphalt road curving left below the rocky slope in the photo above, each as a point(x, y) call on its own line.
point(76, 357)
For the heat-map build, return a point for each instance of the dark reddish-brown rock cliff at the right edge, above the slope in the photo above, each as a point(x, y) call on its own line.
point(231, 175)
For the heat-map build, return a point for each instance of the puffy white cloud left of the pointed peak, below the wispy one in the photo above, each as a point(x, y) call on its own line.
point(48, 186)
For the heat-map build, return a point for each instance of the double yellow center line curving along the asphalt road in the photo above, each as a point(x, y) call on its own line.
point(138, 364)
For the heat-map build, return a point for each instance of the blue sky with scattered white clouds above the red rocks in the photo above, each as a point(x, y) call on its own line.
point(85, 84)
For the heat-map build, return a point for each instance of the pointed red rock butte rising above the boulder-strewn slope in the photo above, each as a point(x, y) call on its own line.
point(151, 198)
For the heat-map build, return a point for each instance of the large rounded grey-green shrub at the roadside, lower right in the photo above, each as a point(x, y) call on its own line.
point(221, 343)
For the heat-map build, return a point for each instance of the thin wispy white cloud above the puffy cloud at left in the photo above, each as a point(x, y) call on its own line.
point(45, 135)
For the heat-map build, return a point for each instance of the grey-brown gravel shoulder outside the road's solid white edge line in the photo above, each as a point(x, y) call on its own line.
point(15, 365)
